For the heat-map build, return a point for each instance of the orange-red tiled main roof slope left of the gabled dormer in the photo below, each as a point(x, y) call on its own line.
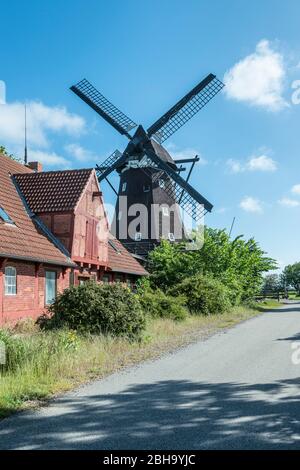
point(24, 239)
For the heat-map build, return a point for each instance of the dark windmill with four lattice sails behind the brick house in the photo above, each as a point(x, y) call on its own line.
point(149, 176)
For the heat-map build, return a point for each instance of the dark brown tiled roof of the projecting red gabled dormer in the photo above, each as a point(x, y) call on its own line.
point(43, 191)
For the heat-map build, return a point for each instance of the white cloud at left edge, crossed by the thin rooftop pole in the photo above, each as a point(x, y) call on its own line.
point(41, 120)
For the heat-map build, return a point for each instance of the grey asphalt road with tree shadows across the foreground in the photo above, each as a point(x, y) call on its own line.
point(236, 390)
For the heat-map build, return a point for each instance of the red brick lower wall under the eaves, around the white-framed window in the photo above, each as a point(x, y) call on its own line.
point(30, 298)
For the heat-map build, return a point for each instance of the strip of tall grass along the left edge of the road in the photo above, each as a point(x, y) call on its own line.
point(53, 365)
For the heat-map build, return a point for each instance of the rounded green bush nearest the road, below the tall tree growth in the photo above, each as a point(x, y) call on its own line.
point(205, 295)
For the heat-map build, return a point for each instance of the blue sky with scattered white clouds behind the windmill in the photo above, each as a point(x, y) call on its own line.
point(143, 56)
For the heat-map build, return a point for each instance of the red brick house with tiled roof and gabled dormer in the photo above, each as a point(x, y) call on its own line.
point(53, 234)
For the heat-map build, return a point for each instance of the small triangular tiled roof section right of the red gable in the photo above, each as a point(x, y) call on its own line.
point(120, 260)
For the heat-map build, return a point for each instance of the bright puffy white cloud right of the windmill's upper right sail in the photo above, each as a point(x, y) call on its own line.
point(258, 79)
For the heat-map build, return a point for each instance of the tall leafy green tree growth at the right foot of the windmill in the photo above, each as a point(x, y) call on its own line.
point(239, 263)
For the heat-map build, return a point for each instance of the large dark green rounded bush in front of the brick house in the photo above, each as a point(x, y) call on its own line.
point(98, 308)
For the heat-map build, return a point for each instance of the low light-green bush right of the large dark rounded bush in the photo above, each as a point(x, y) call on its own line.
point(158, 304)
